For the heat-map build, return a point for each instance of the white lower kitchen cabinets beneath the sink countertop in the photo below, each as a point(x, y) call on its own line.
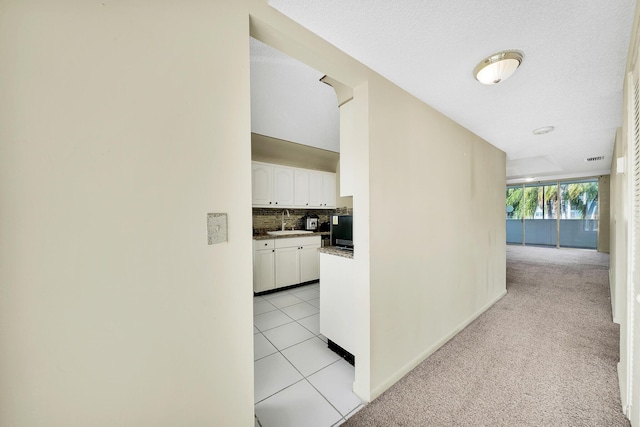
point(284, 262)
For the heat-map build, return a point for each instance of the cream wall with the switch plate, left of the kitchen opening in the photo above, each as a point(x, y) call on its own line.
point(123, 125)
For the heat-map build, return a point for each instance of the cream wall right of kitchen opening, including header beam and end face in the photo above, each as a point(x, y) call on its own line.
point(428, 199)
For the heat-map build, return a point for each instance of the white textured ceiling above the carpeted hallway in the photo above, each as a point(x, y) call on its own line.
point(571, 77)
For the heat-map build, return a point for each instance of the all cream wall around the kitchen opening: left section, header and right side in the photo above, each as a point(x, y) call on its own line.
point(123, 125)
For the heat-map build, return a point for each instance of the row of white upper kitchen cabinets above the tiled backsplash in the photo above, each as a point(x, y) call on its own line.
point(287, 187)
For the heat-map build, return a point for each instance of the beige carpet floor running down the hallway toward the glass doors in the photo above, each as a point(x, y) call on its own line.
point(544, 355)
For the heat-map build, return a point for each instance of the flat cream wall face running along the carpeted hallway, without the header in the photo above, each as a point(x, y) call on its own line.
point(437, 230)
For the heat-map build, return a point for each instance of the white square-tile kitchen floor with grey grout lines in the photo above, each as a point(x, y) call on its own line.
point(298, 380)
